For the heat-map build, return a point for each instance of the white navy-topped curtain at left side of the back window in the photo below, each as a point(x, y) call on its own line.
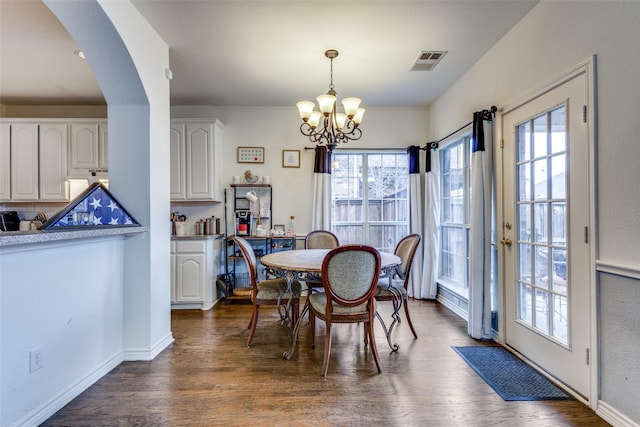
point(321, 198)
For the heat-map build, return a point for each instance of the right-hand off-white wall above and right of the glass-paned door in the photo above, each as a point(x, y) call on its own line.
point(553, 38)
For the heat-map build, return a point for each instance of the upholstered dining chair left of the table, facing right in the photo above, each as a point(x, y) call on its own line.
point(266, 292)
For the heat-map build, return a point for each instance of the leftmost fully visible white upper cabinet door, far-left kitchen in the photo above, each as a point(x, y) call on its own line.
point(24, 161)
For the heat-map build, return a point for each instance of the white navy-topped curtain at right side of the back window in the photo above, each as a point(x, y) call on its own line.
point(415, 219)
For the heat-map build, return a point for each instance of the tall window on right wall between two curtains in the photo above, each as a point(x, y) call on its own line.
point(455, 214)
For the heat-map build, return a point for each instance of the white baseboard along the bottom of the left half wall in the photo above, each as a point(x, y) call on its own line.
point(58, 401)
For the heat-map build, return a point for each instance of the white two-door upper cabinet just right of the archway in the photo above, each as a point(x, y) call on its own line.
point(196, 160)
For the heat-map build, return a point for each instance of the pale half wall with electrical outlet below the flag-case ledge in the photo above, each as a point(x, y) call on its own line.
point(67, 298)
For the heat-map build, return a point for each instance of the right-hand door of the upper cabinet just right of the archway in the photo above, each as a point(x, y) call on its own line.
point(199, 161)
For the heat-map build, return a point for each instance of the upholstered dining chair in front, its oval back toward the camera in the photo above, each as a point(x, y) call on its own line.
point(349, 276)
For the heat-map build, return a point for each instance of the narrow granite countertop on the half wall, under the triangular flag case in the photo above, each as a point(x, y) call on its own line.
point(14, 238)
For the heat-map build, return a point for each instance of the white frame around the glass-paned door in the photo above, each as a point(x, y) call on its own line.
point(588, 67)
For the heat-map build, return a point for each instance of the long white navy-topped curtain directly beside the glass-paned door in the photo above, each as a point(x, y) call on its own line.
point(479, 325)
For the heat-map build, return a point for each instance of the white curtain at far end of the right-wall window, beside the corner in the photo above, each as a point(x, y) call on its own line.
point(431, 237)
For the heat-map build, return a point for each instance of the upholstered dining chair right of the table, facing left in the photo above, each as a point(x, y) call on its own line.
point(405, 249)
